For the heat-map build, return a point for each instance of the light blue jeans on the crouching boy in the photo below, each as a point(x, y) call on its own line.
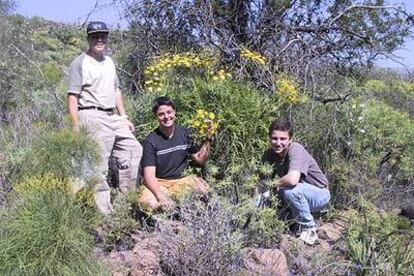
point(303, 199)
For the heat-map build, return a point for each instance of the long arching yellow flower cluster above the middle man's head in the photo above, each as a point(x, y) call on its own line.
point(154, 72)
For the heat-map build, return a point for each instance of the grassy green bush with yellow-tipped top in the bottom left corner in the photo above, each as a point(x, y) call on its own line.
point(45, 233)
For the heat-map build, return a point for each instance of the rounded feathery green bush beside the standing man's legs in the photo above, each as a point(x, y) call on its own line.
point(62, 153)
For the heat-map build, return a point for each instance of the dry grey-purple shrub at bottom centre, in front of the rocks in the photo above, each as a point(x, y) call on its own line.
point(206, 243)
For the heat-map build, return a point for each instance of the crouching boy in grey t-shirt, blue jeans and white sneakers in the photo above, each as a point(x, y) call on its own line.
point(301, 184)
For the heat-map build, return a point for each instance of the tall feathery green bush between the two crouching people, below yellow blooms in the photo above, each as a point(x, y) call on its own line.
point(244, 115)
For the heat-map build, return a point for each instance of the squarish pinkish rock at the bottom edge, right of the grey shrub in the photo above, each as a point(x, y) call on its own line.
point(265, 262)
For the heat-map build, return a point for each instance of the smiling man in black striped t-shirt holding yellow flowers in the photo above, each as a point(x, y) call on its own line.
point(166, 155)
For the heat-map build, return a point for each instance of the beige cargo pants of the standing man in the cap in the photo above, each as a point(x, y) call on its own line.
point(114, 138)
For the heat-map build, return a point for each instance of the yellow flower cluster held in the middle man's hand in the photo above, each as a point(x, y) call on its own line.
point(204, 123)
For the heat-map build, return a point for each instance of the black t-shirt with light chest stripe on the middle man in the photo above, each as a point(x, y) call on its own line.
point(168, 155)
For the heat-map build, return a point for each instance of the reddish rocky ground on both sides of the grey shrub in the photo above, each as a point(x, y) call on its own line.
point(293, 257)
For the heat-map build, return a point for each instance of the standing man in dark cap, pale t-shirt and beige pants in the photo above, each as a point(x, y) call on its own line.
point(93, 99)
